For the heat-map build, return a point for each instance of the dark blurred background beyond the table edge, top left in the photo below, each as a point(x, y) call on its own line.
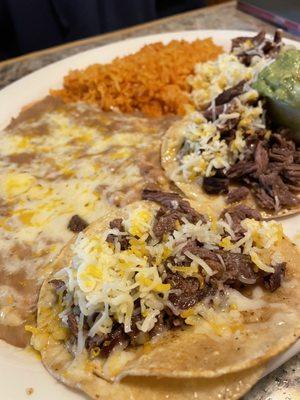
point(30, 25)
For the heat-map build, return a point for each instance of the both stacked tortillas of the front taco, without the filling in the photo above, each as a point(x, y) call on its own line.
point(188, 353)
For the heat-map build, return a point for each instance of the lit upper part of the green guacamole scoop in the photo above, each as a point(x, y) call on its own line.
point(280, 81)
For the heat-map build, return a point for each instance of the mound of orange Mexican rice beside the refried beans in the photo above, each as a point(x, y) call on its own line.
point(152, 80)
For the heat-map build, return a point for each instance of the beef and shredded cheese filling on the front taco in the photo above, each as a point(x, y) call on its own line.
point(164, 268)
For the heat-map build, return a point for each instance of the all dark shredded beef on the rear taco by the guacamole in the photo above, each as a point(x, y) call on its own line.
point(270, 168)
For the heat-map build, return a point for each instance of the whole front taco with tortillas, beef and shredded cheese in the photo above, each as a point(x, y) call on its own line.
point(158, 289)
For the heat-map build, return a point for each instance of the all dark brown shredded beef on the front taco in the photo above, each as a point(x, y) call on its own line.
point(231, 269)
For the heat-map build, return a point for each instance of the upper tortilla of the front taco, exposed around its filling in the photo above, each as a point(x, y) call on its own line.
point(190, 354)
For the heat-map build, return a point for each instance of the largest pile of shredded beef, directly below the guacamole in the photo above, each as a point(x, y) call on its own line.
point(272, 170)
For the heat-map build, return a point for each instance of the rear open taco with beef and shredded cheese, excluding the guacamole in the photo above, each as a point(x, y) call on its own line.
point(228, 151)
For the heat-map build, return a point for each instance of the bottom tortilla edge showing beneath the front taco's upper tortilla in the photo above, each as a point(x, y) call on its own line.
point(82, 376)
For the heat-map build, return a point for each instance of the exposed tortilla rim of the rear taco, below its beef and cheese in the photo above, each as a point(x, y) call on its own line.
point(171, 145)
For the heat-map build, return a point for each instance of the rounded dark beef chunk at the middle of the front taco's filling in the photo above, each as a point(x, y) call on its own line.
point(188, 291)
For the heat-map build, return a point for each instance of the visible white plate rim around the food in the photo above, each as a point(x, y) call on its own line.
point(20, 369)
